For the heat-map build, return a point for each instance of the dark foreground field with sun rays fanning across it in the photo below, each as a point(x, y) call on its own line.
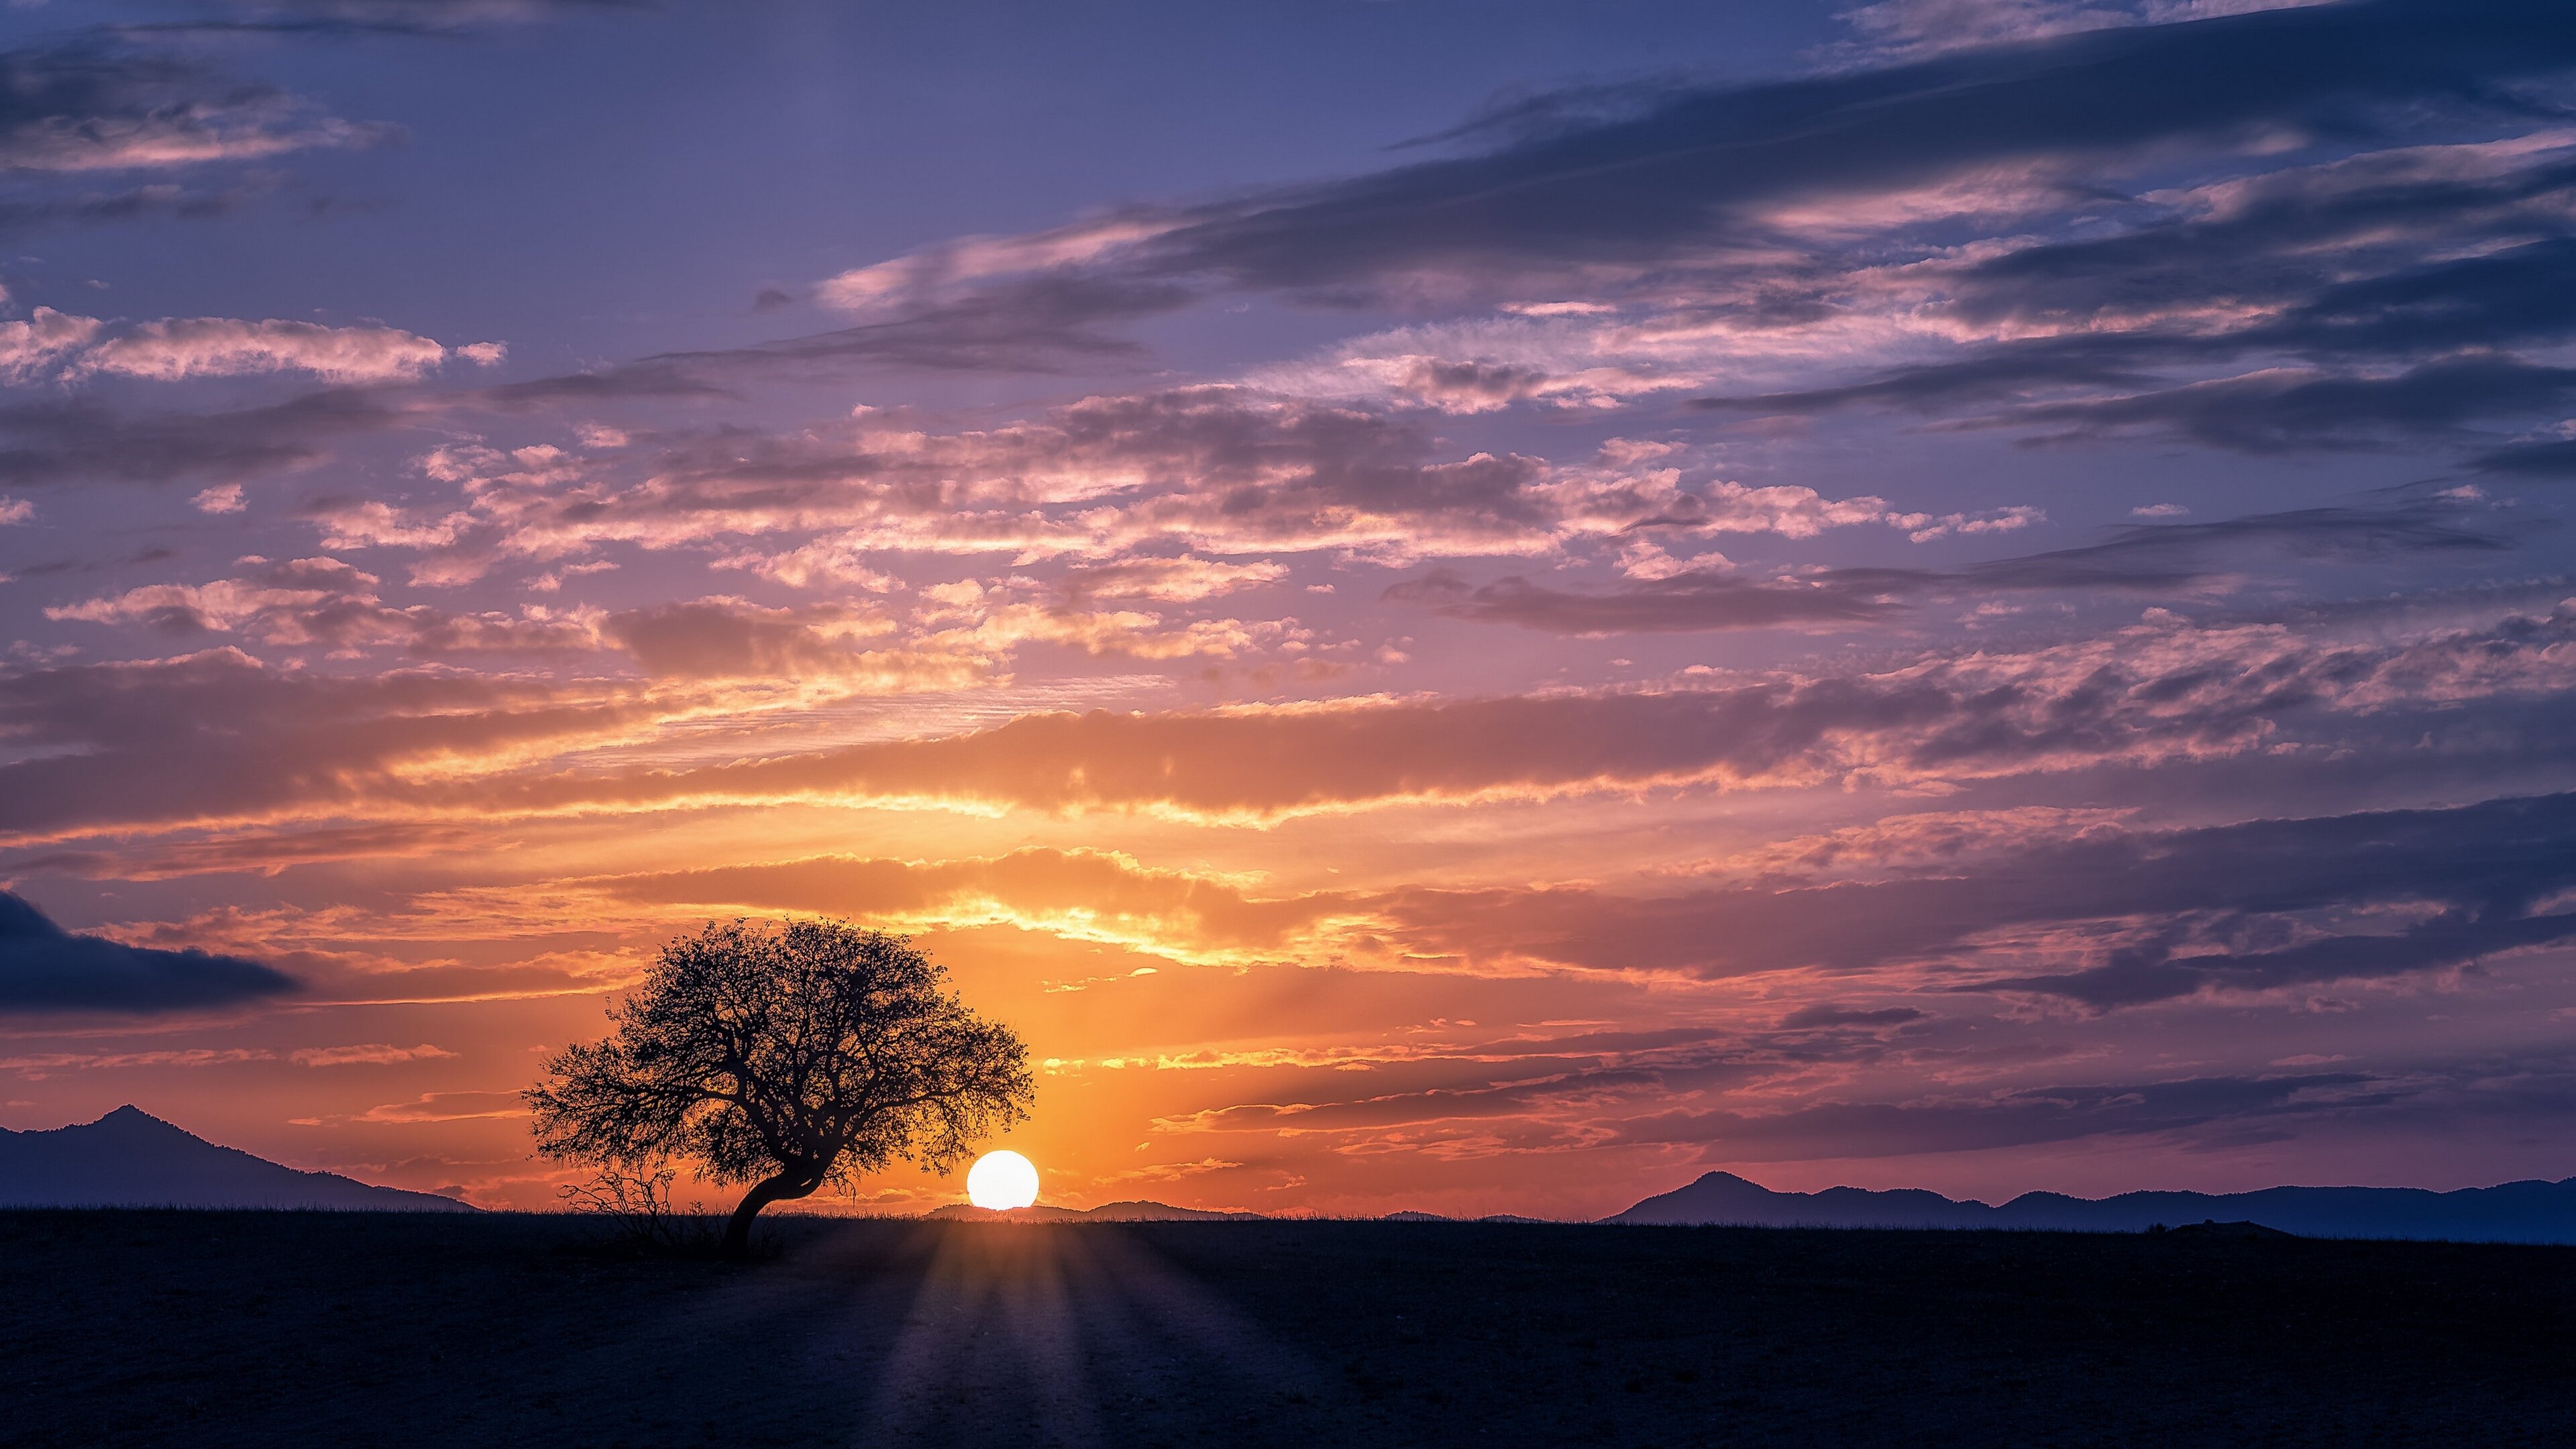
point(398, 1329)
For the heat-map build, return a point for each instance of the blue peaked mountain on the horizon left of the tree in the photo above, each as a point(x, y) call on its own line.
point(133, 1159)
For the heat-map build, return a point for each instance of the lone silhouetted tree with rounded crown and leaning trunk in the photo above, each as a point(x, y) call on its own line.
point(787, 1058)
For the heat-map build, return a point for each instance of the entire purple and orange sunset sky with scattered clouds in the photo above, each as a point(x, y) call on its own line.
point(1446, 605)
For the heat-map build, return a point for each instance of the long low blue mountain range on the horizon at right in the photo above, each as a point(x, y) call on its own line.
point(2513, 1213)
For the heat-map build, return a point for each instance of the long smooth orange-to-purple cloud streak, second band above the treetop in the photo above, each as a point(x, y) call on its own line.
point(2150, 695)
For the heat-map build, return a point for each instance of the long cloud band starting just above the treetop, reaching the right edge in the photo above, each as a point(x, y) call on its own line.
point(2134, 917)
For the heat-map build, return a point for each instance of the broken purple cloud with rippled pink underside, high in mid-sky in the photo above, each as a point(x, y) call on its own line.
point(1117, 486)
